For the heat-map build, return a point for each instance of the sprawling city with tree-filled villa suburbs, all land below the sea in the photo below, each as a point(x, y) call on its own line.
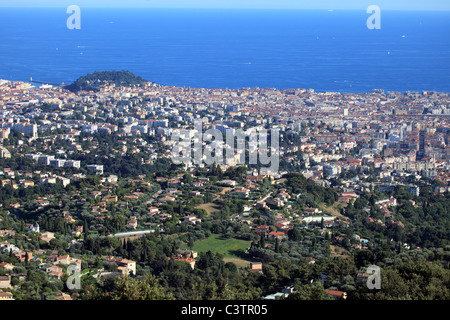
point(89, 190)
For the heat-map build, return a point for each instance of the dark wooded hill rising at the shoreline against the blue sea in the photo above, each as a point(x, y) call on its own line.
point(94, 81)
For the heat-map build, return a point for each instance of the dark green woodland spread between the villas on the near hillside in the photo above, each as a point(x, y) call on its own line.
point(286, 262)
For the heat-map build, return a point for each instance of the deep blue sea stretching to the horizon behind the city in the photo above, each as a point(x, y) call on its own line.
point(327, 51)
